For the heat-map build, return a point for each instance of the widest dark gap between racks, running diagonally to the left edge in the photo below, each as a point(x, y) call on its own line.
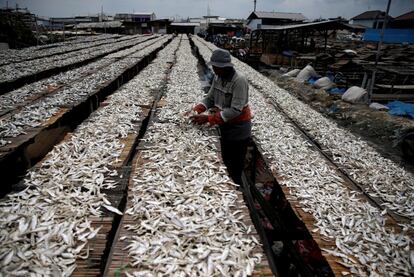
point(33, 147)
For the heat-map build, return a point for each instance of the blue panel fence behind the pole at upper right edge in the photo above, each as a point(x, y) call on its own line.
point(390, 35)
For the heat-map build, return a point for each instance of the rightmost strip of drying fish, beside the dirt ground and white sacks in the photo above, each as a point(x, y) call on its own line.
point(379, 176)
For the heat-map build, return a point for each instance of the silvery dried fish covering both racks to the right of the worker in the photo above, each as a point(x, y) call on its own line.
point(363, 240)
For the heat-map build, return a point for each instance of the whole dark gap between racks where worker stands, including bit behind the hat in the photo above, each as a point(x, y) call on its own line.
point(278, 225)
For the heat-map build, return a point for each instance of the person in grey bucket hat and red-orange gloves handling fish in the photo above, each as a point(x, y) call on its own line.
point(227, 106)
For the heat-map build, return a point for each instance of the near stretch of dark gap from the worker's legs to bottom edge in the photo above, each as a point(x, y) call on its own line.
point(282, 226)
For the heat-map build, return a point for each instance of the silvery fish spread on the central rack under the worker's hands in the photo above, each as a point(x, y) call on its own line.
point(183, 203)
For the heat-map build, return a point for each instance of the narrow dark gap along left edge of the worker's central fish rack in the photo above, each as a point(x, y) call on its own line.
point(113, 235)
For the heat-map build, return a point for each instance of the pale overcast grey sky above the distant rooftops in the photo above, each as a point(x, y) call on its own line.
point(195, 8)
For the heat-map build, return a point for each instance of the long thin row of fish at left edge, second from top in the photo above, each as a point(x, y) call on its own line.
point(14, 71)
